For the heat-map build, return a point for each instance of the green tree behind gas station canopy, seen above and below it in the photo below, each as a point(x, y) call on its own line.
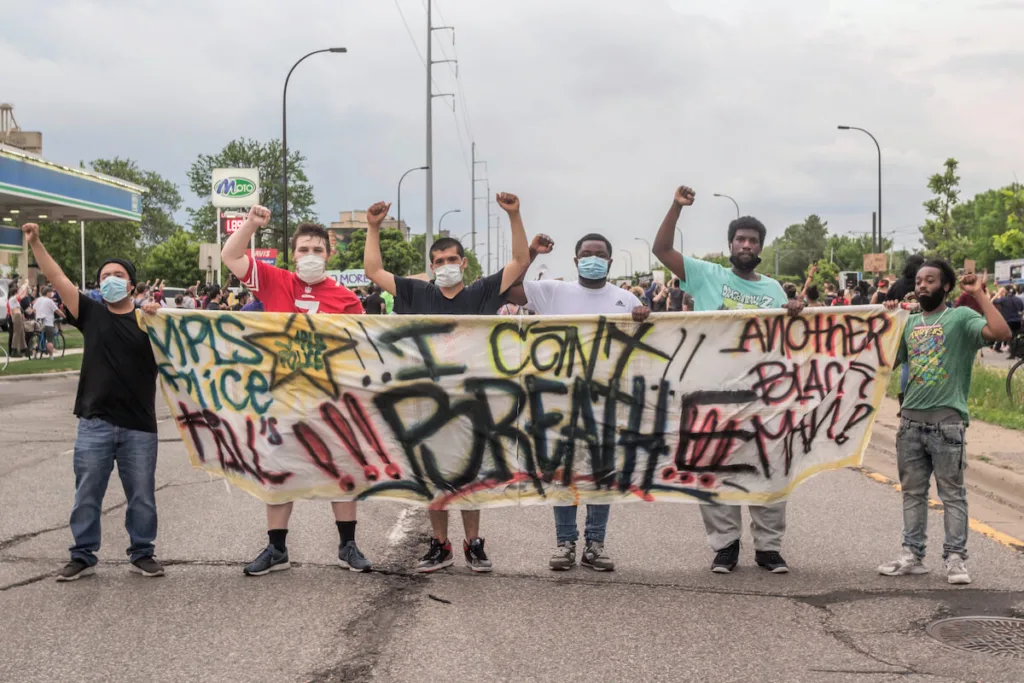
point(109, 239)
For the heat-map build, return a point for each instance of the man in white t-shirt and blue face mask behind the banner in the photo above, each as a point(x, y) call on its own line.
point(591, 294)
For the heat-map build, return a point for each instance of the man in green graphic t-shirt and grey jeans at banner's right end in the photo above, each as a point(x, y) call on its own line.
point(940, 345)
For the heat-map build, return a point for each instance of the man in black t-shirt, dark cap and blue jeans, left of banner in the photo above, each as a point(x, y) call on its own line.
point(116, 411)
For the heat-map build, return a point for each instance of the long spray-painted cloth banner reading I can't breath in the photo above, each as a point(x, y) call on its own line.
point(736, 408)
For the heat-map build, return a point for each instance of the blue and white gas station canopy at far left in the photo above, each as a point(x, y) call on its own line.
point(34, 190)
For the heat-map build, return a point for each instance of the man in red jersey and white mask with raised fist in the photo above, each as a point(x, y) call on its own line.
point(309, 290)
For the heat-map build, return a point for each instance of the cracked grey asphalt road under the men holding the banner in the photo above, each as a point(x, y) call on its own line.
point(661, 617)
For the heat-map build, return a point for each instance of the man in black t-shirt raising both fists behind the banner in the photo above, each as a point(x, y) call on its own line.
point(448, 295)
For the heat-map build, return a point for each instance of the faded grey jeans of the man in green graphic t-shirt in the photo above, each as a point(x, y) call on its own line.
point(921, 450)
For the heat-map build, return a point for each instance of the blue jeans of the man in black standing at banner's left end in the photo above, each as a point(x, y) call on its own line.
point(99, 446)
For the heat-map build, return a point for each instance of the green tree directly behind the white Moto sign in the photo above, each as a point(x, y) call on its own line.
point(245, 153)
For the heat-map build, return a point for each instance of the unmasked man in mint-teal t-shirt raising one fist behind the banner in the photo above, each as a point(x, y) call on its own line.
point(715, 288)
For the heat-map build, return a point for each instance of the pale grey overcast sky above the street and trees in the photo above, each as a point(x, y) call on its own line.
point(591, 111)
